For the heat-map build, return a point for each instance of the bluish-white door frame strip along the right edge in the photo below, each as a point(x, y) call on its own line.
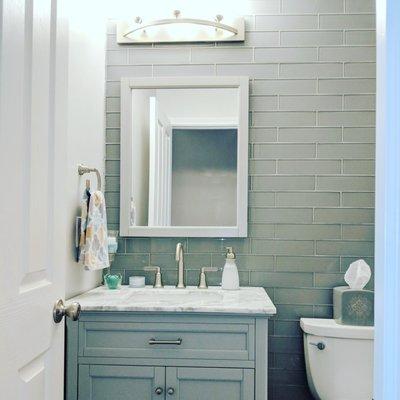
point(387, 204)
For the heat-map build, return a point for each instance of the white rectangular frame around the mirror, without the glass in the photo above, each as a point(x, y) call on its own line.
point(126, 190)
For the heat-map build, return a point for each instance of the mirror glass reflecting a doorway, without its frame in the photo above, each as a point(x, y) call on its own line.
point(184, 157)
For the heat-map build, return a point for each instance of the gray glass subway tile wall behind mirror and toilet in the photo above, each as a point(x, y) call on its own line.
point(311, 65)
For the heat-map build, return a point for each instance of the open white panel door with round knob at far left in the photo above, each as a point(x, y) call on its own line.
point(32, 220)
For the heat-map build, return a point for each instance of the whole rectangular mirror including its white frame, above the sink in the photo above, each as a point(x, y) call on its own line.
point(184, 156)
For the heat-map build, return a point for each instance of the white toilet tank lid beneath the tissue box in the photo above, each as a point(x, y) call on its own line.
point(330, 328)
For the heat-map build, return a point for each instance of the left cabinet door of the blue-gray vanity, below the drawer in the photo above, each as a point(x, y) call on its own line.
point(118, 382)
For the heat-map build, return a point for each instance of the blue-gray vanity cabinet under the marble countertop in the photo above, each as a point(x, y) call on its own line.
point(110, 356)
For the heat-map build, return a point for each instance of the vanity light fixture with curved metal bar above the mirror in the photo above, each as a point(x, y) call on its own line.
point(179, 29)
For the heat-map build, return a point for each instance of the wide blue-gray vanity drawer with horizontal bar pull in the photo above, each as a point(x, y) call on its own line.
point(217, 341)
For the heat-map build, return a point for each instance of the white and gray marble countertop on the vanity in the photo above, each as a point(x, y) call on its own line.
point(246, 300)
